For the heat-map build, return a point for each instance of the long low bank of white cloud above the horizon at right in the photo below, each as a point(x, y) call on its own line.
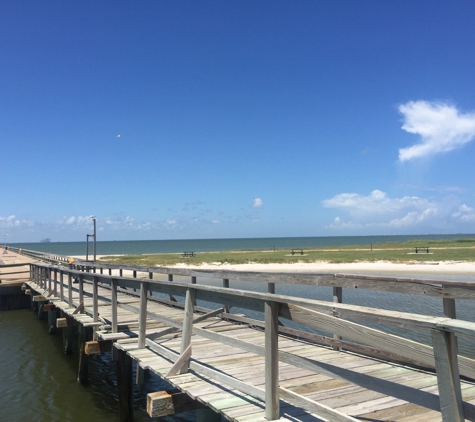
point(377, 210)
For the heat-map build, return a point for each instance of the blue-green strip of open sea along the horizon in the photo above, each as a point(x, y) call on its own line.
point(215, 245)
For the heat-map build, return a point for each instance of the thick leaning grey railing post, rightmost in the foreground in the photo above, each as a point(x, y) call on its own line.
point(448, 377)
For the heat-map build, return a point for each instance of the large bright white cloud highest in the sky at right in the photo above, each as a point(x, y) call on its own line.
point(441, 126)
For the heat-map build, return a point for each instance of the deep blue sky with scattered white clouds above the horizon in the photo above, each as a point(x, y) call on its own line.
point(215, 119)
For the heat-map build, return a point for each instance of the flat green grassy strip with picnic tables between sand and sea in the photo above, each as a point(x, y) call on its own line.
point(439, 250)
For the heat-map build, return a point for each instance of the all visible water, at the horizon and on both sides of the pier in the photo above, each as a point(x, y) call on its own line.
point(38, 382)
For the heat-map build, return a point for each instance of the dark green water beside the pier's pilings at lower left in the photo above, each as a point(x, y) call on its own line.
point(38, 382)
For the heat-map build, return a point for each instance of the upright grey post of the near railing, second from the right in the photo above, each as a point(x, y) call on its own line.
point(271, 360)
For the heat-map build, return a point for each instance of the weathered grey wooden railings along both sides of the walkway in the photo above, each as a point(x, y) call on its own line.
point(333, 317)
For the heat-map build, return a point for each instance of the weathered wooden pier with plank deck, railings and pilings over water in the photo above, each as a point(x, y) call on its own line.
point(248, 369)
